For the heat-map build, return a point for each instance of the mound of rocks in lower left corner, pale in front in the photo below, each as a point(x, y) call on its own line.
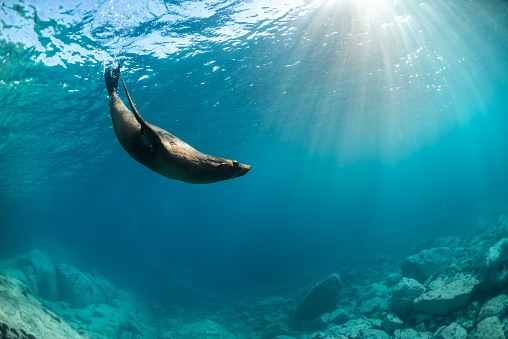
point(63, 302)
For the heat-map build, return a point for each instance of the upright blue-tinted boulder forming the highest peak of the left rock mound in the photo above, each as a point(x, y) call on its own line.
point(44, 274)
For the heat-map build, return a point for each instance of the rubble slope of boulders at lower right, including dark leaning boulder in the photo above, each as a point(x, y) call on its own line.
point(455, 290)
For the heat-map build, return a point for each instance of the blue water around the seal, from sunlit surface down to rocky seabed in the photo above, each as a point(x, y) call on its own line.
point(370, 126)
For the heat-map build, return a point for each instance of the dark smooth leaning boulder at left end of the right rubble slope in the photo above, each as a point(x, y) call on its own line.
point(321, 299)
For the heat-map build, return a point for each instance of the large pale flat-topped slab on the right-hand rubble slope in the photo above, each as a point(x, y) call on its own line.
point(447, 298)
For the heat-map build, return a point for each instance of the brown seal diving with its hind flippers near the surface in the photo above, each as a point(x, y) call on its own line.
point(158, 149)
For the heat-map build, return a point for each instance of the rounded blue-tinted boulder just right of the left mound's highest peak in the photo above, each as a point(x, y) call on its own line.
point(78, 289)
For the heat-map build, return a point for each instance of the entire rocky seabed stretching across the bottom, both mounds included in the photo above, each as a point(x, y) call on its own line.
point(455, 289)
